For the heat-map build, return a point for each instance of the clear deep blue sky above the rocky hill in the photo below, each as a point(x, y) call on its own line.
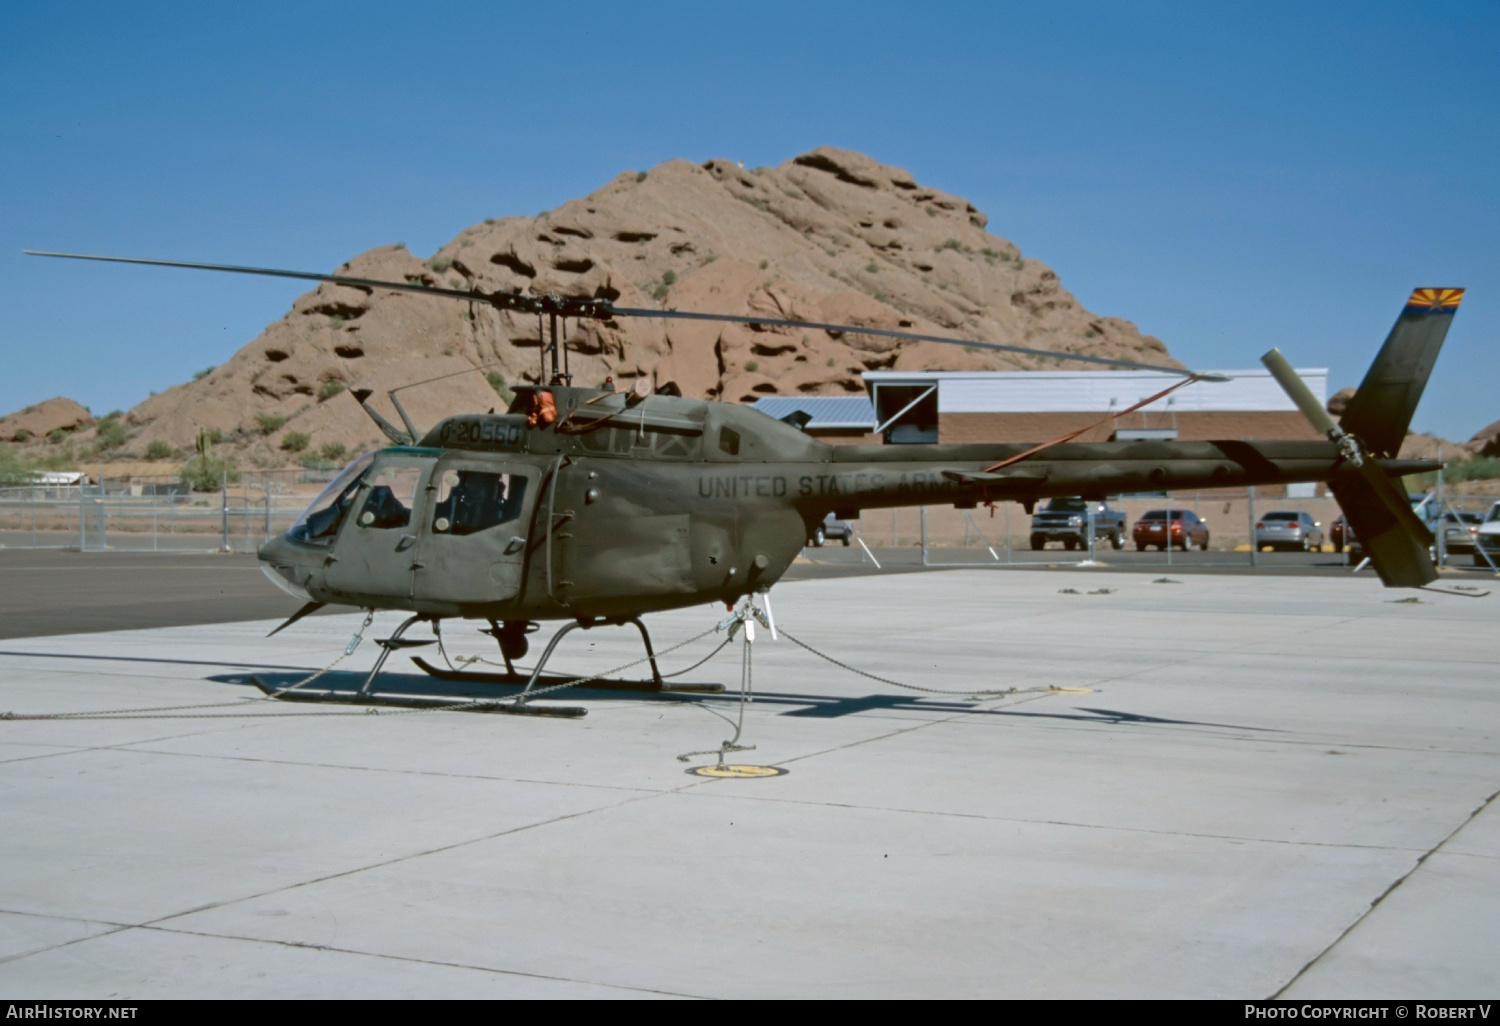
point(1228, 176)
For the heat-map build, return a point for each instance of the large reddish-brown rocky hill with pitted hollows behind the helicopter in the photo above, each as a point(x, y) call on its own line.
point(829, 236)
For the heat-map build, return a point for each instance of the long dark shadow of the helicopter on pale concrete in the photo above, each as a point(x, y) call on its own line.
point(821, 707)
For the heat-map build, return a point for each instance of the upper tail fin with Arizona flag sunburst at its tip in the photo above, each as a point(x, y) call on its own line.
point(1382, 409)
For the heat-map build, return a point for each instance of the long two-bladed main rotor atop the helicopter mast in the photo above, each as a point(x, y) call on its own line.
point(602, 310)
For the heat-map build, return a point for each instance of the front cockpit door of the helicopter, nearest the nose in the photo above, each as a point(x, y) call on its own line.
point(376, 550)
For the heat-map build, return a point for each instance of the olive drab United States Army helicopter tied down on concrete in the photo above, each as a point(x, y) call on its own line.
point(596, 506)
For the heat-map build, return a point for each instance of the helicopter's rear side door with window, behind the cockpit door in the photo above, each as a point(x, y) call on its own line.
point(475, 541)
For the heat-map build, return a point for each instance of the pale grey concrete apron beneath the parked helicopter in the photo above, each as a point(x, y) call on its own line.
point(1255, 764)
